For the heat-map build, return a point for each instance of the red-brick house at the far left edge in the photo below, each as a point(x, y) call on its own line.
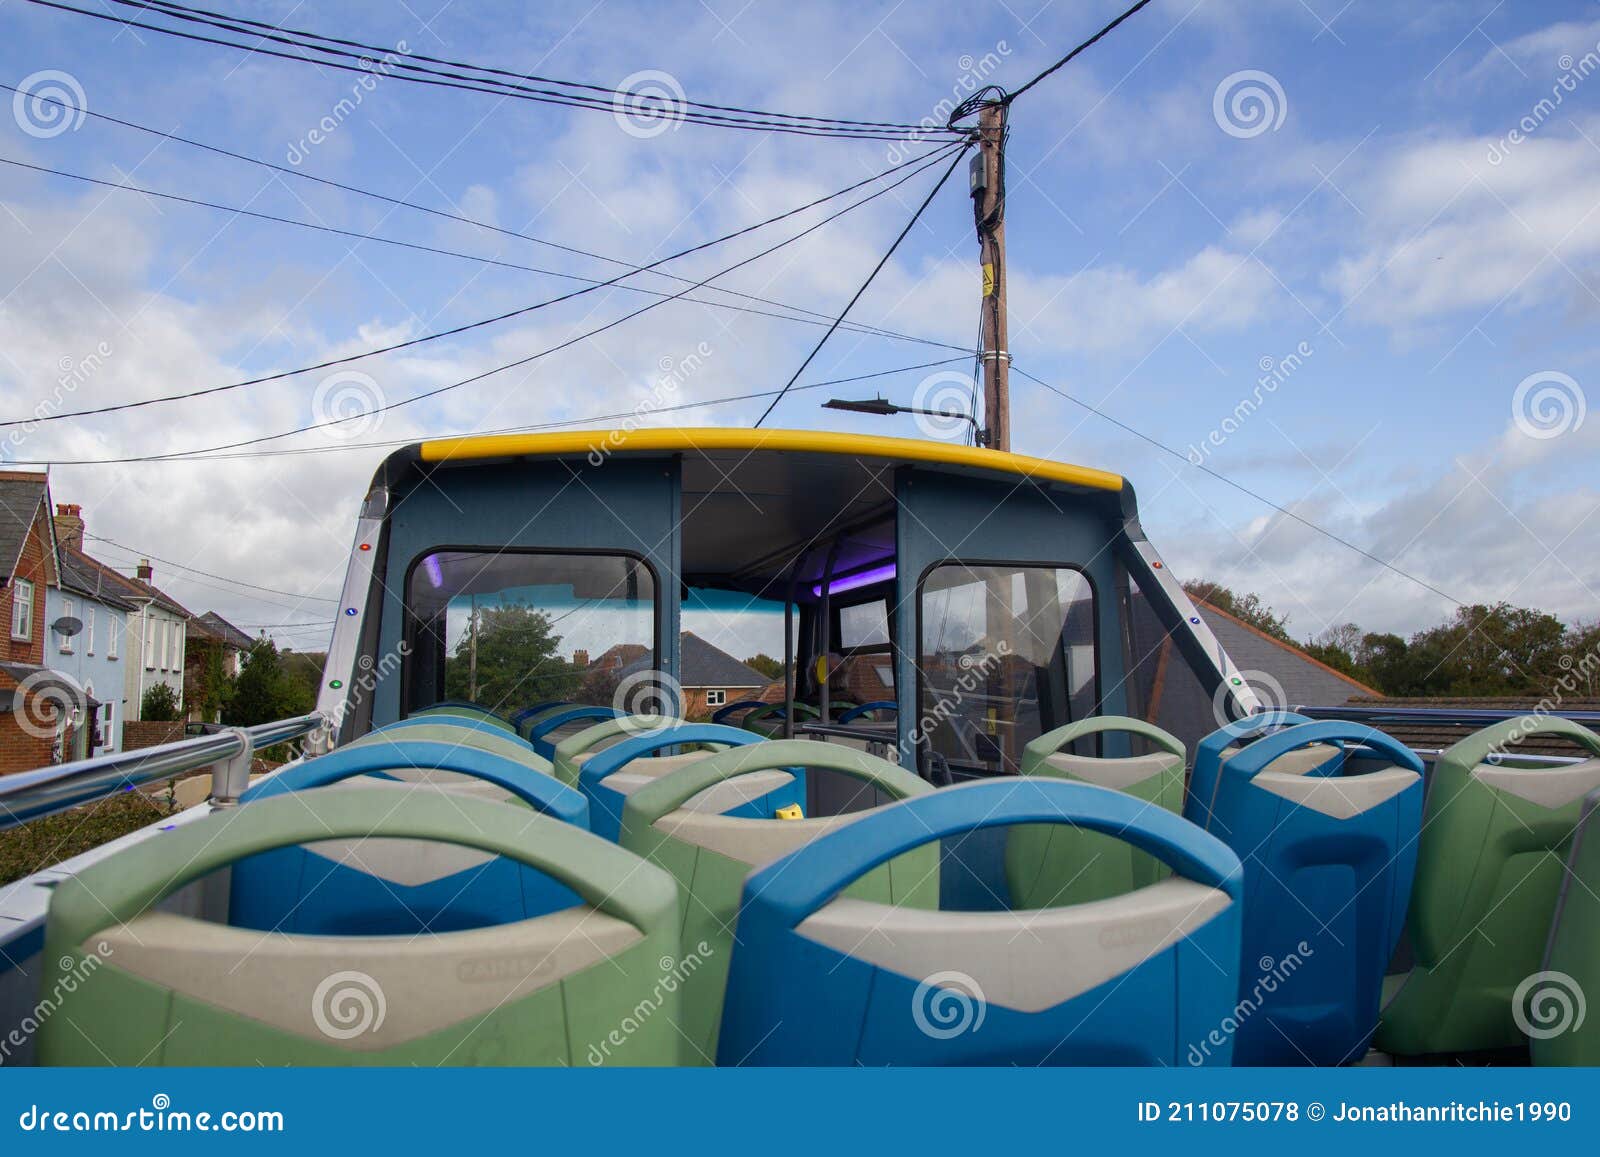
point(47, 707)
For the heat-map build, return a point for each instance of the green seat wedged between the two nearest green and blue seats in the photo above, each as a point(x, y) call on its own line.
point(710, 855)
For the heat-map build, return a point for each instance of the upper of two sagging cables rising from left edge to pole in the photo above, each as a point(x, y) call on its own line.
point(468, 327)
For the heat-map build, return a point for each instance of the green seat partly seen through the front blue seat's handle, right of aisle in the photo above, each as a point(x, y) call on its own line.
point(1054, 867)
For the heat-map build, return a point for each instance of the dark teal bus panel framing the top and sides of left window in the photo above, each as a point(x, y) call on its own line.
point(626, 508)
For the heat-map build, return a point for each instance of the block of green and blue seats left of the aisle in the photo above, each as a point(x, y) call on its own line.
point(430, 894)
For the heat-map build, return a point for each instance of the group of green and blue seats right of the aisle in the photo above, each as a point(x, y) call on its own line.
point(1490, 881)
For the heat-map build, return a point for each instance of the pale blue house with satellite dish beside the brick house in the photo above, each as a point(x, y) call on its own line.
point(89, 599)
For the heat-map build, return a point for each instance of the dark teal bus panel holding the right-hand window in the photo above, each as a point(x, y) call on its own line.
point(1026, 530)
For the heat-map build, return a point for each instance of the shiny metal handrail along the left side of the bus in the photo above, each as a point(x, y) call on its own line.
point(33, 795)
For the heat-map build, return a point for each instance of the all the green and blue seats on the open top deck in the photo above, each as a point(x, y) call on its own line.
point(1130, 934)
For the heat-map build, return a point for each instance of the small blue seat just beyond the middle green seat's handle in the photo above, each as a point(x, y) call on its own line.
point(612, 775)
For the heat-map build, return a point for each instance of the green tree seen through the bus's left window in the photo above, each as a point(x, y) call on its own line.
point(508, 660)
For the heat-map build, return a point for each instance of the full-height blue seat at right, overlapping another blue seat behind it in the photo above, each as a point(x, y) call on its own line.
point(1329, 865)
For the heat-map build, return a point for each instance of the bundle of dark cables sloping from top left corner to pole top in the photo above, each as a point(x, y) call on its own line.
point(398, 68)
